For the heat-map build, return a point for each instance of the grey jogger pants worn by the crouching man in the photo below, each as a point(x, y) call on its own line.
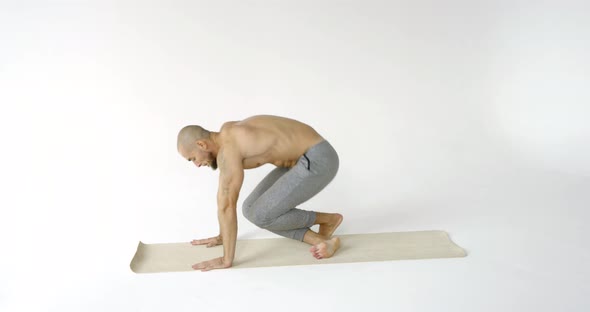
point(271, 205)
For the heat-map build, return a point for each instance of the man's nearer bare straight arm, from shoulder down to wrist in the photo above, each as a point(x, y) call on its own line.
point(231, 177)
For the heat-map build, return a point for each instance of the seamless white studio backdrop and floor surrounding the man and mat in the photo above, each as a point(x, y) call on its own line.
point(464, 116)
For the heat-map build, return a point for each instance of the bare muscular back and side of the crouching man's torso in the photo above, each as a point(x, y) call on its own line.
point(269, 139)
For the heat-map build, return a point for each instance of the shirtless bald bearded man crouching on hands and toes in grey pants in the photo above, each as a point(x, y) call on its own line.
point(305, 162)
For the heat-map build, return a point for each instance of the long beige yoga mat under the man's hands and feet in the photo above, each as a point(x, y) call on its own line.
point(250, 253)
